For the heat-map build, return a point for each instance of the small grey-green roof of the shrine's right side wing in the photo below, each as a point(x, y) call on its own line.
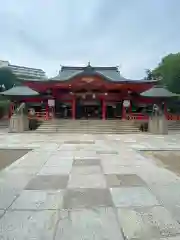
point(158, 91)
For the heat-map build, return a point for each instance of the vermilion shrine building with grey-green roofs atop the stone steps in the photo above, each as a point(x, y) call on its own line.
point(85, 92)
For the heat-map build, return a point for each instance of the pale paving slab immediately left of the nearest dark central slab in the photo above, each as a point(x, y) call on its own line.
point(38, 200)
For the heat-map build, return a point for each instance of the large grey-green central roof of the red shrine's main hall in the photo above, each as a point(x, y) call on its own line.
point(109, 73)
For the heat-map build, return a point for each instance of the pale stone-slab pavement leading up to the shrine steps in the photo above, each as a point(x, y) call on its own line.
point(90, 187)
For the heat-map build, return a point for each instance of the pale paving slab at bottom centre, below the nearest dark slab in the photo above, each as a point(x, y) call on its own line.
point(91, 224)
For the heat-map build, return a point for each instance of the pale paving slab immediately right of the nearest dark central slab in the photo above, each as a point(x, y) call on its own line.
point(133, 196)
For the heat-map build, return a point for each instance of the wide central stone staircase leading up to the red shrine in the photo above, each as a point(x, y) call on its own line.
point(88, 126)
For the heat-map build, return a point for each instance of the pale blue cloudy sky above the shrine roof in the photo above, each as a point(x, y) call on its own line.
point(131, 34)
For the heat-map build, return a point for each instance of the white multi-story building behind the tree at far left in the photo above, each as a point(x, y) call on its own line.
point(24, 72)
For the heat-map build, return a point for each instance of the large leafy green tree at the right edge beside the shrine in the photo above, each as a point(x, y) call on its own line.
point(168, 71)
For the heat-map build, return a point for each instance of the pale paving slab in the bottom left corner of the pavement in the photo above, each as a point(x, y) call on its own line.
point(23, 225)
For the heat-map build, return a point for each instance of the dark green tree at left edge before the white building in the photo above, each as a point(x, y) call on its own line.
point(7, 79)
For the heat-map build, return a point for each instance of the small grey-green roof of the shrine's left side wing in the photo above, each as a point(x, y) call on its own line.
point(20, 91)
